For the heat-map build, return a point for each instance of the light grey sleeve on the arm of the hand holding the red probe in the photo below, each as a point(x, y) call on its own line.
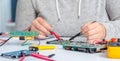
point(25, 13)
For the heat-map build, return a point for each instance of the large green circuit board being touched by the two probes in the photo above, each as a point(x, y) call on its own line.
point(80, 46)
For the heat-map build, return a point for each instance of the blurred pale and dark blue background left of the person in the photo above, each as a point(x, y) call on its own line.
point(7, 15)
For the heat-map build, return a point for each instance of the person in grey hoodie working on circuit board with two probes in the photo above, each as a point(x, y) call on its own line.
point(68, 17)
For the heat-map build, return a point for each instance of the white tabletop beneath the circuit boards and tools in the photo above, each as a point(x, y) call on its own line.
point(60, 53)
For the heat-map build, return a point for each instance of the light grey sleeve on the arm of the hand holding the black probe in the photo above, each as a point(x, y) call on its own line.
point(113, 25)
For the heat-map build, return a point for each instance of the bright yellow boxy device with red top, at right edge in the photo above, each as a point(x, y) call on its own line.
point(113, 48)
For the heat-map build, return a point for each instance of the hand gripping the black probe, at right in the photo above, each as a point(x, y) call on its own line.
point(94, 32)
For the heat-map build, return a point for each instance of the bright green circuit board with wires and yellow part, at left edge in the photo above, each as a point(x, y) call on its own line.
point(23, 35)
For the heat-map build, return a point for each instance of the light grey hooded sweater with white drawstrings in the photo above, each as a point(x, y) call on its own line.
point(67, 16)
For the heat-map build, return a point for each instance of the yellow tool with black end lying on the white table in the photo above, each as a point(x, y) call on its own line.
point(41, 47)
